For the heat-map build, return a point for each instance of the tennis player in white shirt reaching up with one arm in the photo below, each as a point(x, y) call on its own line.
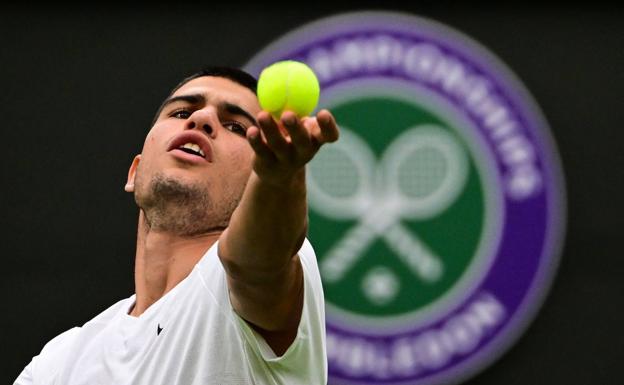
point(227, 285)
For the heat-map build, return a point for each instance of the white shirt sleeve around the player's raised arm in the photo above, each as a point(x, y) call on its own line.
point(305, 361)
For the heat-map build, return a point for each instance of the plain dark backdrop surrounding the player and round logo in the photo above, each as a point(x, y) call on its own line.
point(79, 86)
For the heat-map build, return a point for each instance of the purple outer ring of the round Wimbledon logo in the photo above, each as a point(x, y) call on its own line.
point(527, 255)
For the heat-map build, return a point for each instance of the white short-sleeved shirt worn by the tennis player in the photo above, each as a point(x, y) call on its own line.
point(190, 336)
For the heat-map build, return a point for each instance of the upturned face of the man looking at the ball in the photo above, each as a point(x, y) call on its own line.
point(196, 159)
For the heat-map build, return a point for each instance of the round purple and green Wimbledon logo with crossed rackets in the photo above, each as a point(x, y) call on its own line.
point(437, 217)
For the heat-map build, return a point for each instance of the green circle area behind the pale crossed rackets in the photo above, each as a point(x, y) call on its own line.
point(379, 120)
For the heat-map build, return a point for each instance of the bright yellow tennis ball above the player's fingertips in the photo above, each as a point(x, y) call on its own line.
point(288, 85)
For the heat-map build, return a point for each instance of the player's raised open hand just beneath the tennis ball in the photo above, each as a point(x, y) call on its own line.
point(283, 148)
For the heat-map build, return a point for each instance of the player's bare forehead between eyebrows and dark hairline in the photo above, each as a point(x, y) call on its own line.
point(219, 89)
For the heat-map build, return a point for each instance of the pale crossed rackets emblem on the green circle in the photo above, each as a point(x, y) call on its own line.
point(418, 176)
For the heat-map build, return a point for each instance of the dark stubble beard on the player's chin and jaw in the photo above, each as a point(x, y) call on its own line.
point(184, 209)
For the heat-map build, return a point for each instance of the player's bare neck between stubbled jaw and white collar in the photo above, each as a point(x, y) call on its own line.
point(163, 259)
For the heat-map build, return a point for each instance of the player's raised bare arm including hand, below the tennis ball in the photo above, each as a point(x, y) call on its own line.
point(259, 247)
